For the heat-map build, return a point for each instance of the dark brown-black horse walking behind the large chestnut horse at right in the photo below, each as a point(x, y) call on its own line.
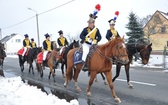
point(132, 49)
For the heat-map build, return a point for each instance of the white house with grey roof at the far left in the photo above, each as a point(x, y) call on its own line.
point(12, 43)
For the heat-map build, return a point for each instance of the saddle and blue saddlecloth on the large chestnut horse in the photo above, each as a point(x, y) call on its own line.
point(79, 53)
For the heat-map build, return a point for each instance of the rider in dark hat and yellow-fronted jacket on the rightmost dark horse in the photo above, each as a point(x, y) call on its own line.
point(111, 33)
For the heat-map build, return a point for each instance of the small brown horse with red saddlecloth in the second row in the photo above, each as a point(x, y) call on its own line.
point(51, 61)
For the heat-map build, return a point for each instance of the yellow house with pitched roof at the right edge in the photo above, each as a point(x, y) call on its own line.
point(156, 30)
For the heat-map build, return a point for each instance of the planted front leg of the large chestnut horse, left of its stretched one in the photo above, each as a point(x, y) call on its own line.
point(92, 77)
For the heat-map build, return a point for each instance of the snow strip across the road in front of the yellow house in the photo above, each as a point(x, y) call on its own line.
point(155, 61)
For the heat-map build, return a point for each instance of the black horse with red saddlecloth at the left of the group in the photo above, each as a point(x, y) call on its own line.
point(30, 55)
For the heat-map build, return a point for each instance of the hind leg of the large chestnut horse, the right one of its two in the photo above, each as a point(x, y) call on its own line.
point(78, 69)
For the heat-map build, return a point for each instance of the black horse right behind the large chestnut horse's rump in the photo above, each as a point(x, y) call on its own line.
point(74, 44)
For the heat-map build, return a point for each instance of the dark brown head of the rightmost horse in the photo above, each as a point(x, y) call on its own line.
point(145, 52)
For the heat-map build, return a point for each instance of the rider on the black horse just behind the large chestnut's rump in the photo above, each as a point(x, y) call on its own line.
point(62, 41)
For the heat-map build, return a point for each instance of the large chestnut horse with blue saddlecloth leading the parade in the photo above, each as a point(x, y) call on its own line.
point(100, 62)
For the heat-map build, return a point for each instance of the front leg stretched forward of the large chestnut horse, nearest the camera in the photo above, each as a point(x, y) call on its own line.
point(109, 77)
